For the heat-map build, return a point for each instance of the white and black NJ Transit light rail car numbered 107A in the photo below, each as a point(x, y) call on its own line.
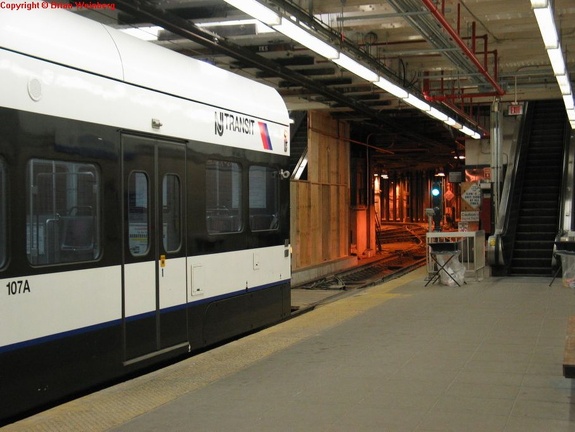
point(144, 206)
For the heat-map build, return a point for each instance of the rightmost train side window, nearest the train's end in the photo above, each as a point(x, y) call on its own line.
point(264, 198)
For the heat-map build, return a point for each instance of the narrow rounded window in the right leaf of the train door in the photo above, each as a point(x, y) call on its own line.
point(171, 213)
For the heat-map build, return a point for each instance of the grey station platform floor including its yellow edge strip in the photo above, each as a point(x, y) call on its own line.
point(399, 356)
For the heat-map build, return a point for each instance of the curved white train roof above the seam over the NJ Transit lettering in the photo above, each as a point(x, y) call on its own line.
point(68, 39)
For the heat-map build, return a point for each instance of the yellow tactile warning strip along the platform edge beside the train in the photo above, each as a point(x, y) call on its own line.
point(117, 405)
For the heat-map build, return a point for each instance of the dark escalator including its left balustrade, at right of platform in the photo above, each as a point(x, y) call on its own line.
point(534, 208)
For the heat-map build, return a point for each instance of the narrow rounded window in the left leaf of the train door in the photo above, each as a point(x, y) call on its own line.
point(138, 217)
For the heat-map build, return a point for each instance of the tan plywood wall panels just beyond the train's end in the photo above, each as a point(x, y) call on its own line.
point(320, 204)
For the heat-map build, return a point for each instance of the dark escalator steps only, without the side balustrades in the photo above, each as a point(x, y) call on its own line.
point(537, 222)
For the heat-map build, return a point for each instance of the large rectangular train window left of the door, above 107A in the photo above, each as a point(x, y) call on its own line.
point(63, 212)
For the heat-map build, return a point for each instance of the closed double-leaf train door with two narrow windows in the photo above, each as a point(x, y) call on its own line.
point(154, 267)
